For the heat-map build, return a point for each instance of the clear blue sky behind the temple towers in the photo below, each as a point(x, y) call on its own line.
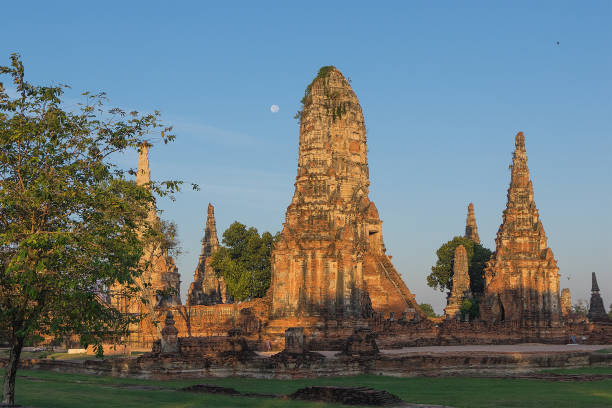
point(444, 88)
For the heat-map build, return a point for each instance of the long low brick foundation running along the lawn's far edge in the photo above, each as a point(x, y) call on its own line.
point(393, 363)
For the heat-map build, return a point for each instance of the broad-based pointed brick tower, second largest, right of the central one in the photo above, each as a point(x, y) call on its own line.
point(522, 277)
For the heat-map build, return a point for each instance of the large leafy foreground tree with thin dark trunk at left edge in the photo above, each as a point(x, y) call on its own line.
point(71, 223)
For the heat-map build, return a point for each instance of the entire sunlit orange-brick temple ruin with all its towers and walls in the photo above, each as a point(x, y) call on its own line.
point(333, 287)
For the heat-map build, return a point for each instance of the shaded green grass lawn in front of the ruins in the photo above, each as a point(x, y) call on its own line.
point(49, 389)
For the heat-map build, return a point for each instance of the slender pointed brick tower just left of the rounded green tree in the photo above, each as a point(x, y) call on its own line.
point(207, 288)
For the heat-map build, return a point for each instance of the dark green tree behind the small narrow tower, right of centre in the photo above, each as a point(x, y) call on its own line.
point(441, 273)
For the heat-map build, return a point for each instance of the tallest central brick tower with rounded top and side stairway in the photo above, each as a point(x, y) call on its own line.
point(330, 259)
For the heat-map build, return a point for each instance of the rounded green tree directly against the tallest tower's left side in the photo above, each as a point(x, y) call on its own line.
point(244, 261)
